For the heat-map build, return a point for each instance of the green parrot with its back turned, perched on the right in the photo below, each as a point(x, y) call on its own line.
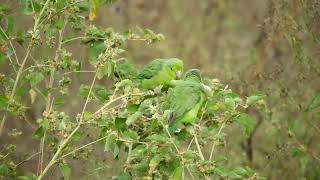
point(186, 99)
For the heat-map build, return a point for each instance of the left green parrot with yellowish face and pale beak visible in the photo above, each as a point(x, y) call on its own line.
point(160, 72)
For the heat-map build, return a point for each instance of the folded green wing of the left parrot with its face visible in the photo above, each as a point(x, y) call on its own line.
point(151, 69)
